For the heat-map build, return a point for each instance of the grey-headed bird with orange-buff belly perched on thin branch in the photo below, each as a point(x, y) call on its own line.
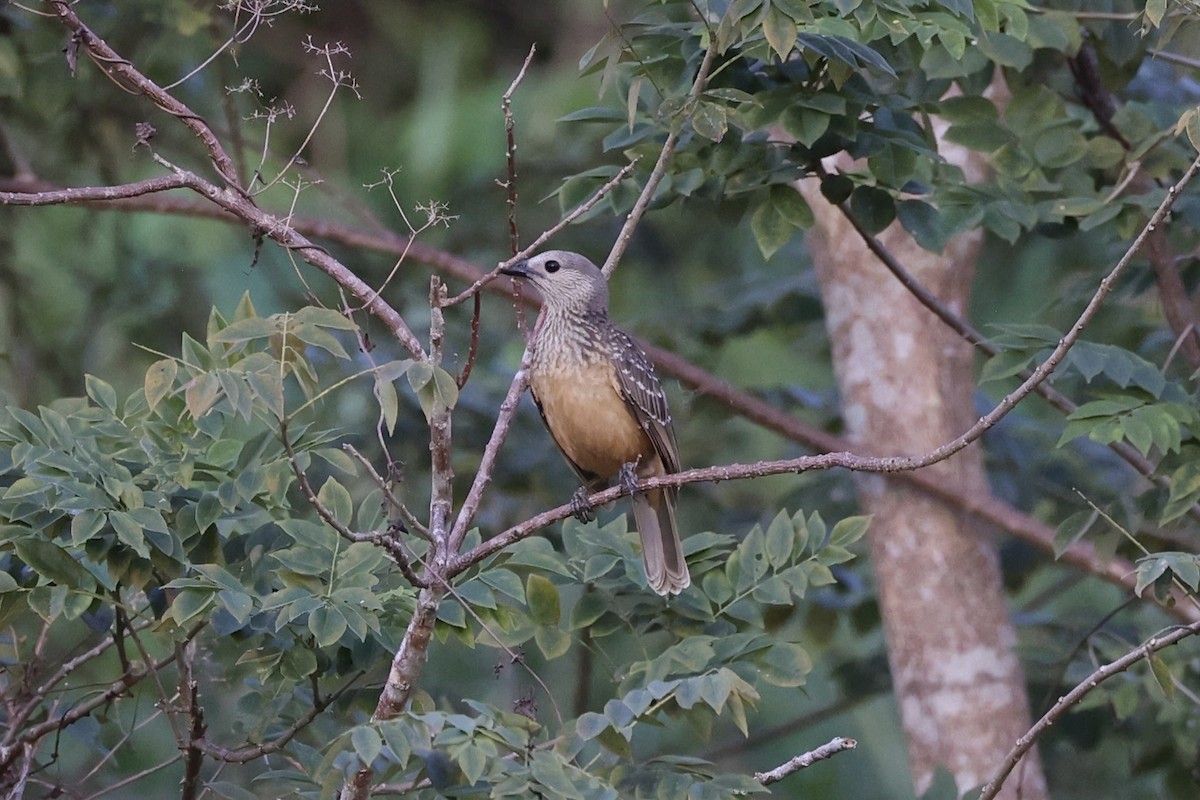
point(603, 404)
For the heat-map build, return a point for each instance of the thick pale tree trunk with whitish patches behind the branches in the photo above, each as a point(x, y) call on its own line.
point(907, 383)
